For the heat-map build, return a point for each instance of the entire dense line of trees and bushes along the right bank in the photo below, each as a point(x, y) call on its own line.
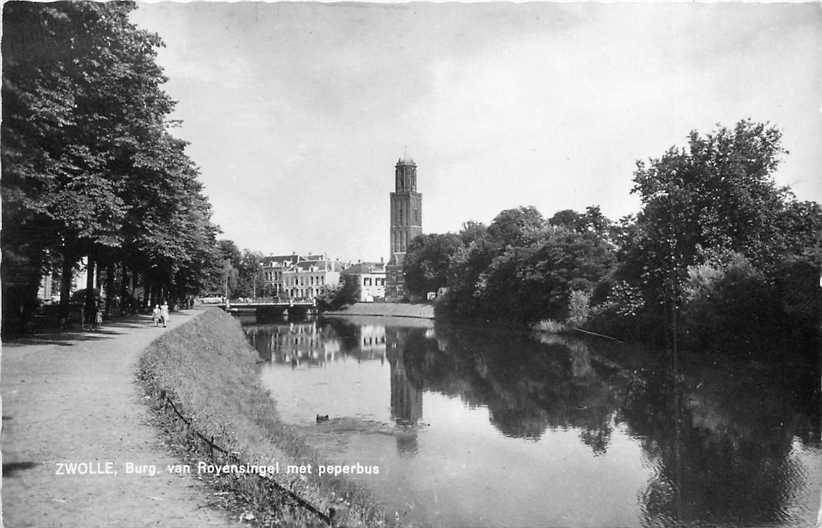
point(717, 252)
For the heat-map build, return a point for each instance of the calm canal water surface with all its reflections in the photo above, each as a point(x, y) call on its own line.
point(487, 428)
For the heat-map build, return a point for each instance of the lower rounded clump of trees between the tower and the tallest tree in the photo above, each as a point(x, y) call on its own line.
point(523, 268)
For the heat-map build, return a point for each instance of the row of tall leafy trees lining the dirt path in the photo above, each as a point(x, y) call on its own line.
point(90, 169)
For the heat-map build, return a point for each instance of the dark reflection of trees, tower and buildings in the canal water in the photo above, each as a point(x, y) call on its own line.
point(719, 434)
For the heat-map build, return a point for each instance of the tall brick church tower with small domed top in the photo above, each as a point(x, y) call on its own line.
point(406, 223)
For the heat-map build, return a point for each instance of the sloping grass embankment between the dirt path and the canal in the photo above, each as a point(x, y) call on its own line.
point(208, 370)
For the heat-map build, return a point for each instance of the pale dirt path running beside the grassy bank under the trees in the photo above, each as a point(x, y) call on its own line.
point(72, 398)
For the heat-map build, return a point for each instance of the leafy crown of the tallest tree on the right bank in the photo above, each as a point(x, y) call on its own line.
point(718, 192)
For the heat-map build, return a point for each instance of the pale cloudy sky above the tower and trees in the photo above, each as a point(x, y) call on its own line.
point(297, 113)
